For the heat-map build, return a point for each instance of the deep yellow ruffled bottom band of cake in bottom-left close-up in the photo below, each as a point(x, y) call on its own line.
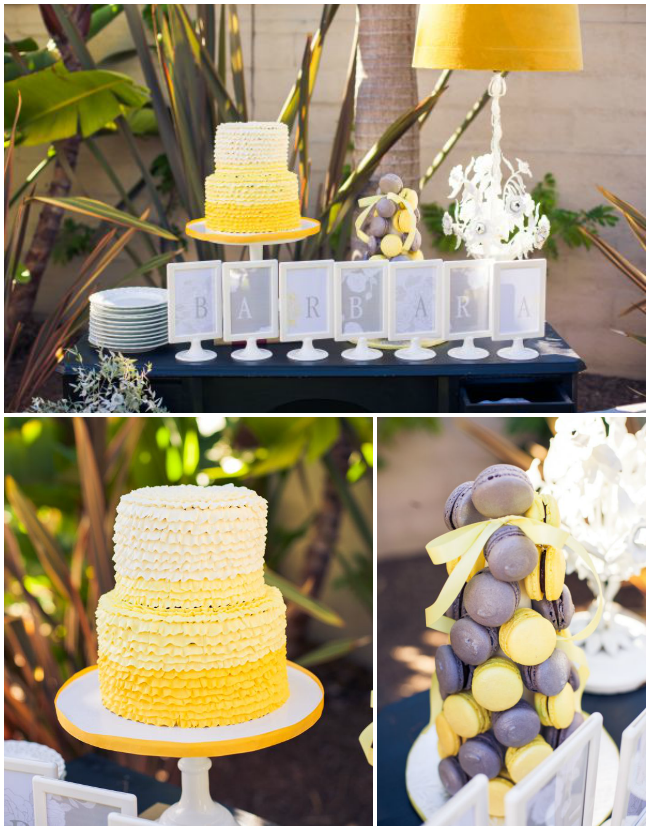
point(206, 697)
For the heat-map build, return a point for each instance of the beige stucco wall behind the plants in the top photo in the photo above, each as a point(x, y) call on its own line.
point(586, 128)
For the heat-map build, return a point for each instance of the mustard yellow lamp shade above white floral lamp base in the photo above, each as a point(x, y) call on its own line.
point(534, 37)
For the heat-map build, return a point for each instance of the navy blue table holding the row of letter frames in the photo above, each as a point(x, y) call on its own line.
point(335, 385)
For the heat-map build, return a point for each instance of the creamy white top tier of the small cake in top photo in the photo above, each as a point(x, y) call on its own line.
point(251, 143)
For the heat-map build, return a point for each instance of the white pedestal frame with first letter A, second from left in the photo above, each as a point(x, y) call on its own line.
point(250, 305)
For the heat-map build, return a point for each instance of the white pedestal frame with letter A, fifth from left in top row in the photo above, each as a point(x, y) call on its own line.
point(415, 293)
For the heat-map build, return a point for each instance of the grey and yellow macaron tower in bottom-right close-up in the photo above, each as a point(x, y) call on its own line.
point(507, 689)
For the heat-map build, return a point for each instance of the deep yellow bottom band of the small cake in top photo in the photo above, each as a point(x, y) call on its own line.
point(252, 218)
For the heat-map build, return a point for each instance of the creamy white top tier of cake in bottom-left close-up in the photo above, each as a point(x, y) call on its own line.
point(187, 532)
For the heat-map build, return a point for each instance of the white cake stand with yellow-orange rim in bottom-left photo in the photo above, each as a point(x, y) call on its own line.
point(80, 712)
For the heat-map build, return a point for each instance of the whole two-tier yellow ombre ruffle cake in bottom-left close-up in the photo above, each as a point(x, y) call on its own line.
point(191, 635)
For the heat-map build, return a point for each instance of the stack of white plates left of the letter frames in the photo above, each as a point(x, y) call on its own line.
point(129, 319)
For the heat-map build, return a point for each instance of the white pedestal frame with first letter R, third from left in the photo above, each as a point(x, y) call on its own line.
point(307, 306)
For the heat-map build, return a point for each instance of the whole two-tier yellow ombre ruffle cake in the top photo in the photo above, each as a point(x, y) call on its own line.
point(251, 190)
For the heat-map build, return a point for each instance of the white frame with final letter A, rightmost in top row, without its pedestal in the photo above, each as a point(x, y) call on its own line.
point(519, 286)
